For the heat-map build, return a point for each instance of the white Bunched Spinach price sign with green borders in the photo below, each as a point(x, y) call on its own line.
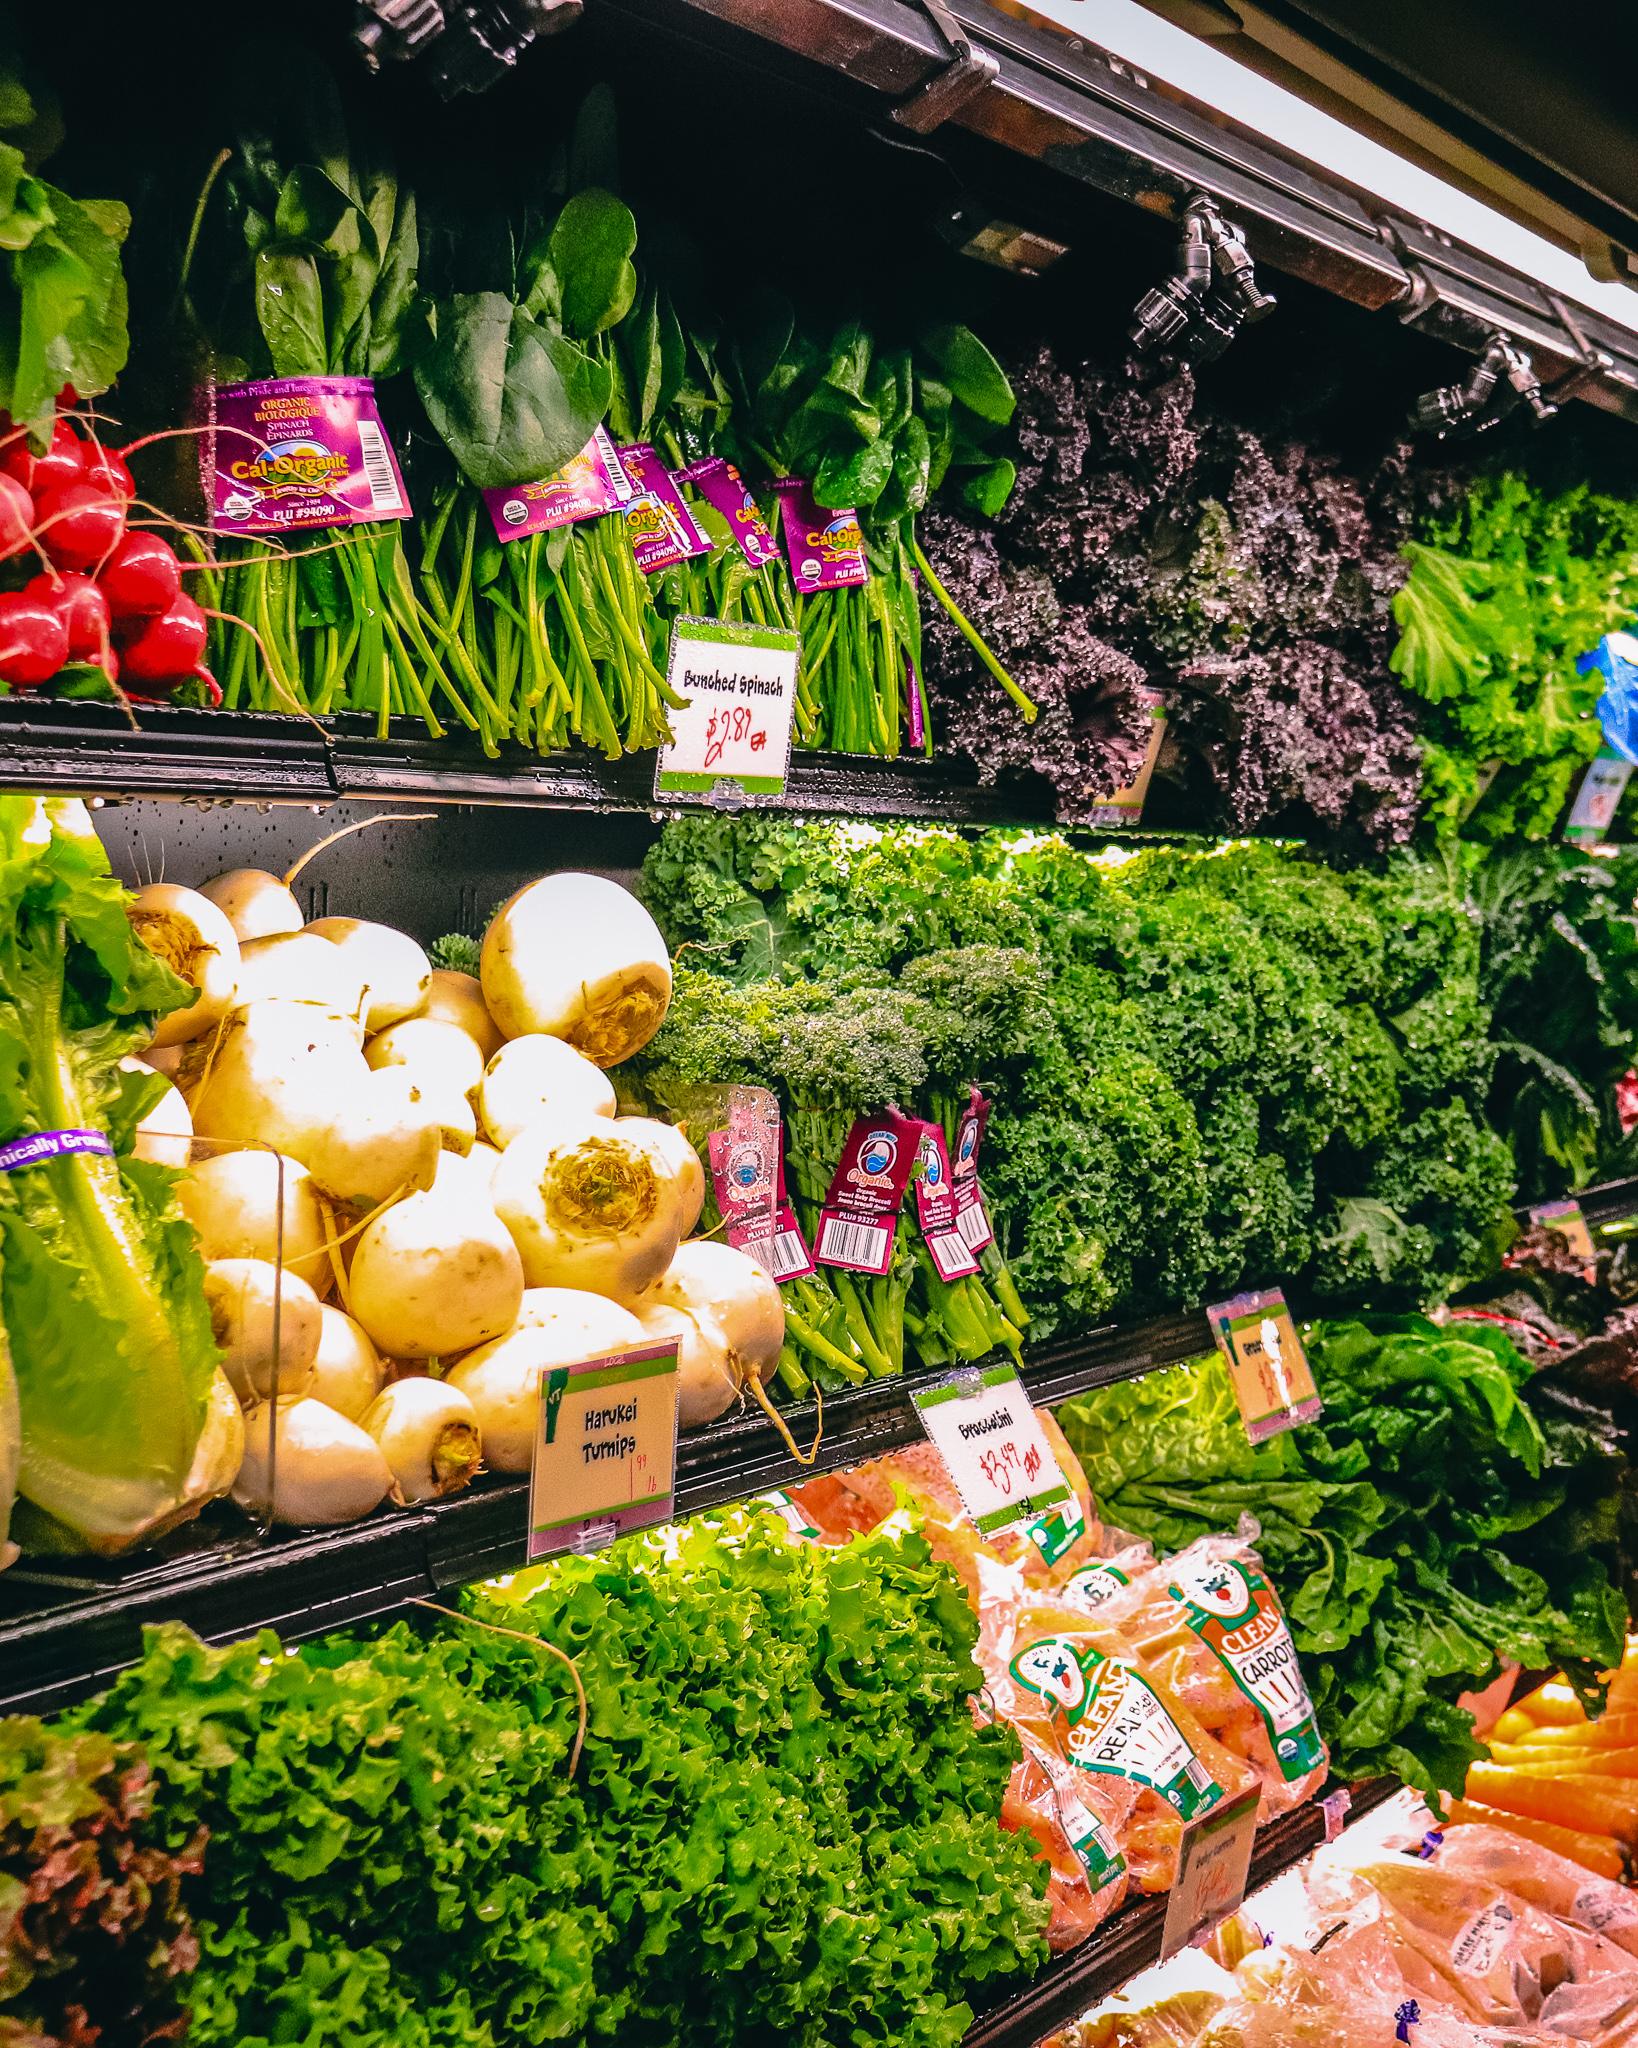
point(732, 740)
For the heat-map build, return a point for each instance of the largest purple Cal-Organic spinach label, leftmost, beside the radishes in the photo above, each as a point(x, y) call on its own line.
point(300, 452)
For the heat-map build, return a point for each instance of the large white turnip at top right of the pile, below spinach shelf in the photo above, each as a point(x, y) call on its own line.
point(580, 959)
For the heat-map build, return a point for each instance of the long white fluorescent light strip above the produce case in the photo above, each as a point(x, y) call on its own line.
point(1170, 54)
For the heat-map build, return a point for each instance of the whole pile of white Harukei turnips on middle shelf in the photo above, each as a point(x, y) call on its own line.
point(421, 1193)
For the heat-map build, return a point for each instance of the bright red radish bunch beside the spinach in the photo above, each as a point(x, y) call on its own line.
point(112, 599)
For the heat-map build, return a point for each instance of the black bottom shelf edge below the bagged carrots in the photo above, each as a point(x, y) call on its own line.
point(1131, 1943)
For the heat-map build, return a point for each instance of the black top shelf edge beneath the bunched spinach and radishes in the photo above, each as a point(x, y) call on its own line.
point(253, 757)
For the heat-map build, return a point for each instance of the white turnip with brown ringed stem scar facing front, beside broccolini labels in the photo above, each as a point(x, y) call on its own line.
point(591, 1205)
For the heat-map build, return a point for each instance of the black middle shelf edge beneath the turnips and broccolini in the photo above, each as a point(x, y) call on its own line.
point(67, 1627)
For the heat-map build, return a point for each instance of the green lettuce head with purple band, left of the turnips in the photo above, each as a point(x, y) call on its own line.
point(101, 1283)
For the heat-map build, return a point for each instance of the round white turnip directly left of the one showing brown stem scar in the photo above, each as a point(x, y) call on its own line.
point(435, 1275)
